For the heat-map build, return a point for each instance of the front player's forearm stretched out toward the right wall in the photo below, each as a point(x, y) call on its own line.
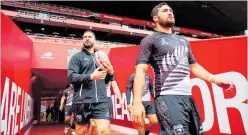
point(201, 73)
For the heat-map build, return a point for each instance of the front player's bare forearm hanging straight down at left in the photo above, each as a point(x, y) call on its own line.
point(139, 82)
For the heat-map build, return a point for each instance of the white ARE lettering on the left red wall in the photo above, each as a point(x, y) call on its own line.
point(10, 109)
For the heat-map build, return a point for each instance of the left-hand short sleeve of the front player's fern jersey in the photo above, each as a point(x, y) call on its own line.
point(145, 51)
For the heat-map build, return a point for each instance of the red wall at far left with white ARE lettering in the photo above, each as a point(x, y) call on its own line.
point(16, 61)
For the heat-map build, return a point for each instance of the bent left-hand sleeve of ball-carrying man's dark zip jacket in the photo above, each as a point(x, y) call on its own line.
point(73, 72)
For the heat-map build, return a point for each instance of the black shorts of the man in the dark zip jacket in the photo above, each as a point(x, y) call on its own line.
point(86, 111)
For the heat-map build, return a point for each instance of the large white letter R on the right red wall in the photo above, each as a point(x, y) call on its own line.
point(236, 102)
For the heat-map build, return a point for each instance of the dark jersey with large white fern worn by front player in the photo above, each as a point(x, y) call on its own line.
point(170, 56)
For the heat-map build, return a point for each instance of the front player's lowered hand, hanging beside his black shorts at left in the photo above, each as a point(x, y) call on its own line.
point(138, 112)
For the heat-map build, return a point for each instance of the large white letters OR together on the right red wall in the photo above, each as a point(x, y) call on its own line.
point(221, 103)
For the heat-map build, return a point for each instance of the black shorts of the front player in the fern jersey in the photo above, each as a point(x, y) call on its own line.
point(178, 115)
